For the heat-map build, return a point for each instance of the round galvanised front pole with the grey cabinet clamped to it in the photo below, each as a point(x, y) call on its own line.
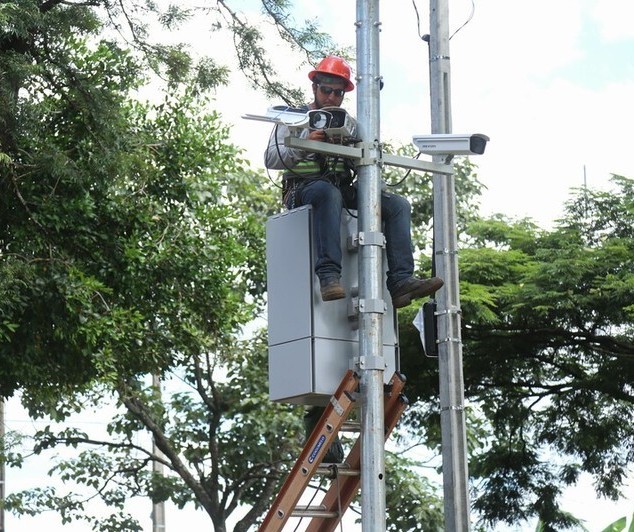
point(371, 303)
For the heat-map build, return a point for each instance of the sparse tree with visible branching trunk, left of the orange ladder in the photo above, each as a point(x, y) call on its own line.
point(221, 442)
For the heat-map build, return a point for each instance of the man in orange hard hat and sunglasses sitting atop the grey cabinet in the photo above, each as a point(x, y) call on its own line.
point(326, 183)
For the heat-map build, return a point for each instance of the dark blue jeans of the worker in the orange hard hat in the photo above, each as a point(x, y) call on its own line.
point(327, 201)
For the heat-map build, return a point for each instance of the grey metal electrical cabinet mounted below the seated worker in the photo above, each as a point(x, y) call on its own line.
point(313, 343)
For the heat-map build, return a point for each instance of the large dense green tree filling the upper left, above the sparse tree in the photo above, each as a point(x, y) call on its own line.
point(110, 220)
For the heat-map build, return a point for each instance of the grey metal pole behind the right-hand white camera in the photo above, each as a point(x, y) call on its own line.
point(452, 415)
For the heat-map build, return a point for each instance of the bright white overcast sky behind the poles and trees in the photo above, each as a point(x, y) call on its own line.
point(550, 82)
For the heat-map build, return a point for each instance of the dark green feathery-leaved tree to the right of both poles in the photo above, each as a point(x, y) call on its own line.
point(548, 325)
